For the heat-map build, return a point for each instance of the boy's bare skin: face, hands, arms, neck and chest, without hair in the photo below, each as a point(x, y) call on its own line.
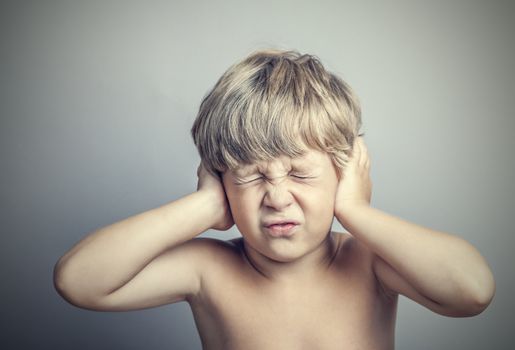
point(293, 285)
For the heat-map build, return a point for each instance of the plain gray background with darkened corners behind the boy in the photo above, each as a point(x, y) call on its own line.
point(97, 98)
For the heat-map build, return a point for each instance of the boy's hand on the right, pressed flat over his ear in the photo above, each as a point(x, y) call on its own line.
point(355, 187)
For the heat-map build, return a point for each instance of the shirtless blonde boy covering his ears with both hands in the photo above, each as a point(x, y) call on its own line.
point(280, 158)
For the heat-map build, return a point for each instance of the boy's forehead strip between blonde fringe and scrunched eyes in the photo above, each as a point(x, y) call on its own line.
point(311, 159)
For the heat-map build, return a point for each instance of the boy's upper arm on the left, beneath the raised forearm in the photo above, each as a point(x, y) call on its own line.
point(173, 276)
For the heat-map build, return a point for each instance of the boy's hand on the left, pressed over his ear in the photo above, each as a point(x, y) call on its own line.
point(212, 185)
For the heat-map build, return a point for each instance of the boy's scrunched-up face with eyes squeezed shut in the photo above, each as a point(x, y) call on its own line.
point(284, 208)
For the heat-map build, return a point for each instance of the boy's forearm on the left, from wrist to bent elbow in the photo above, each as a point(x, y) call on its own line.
point(110, 257)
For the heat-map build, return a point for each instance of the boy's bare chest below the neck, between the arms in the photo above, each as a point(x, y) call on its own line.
point(327, 315)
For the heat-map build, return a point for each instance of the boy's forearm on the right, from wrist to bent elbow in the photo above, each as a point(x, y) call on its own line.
point(442, 267)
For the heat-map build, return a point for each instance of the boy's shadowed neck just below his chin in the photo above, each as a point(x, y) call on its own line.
point(305, 267)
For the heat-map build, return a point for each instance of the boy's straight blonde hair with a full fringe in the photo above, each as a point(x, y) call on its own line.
point(276, 103)
